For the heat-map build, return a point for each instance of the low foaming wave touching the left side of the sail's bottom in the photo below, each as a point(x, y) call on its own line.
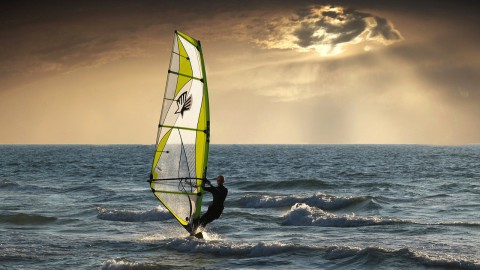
point(156, 214)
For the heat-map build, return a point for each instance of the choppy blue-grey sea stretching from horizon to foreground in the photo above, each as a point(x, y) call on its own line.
point(289, 207)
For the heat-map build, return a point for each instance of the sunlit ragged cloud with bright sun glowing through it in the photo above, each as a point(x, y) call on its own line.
point(328, 29)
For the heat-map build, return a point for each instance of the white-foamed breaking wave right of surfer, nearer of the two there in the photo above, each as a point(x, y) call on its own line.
point(303, 215)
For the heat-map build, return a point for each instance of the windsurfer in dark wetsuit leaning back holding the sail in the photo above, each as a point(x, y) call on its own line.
point(216, 208)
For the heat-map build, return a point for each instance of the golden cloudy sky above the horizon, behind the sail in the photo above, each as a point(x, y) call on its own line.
point(279, 72)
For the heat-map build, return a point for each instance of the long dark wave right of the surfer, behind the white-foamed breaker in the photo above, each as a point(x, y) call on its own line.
point(320, 200)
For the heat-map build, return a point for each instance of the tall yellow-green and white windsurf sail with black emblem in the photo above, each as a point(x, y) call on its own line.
point(181, 155)
